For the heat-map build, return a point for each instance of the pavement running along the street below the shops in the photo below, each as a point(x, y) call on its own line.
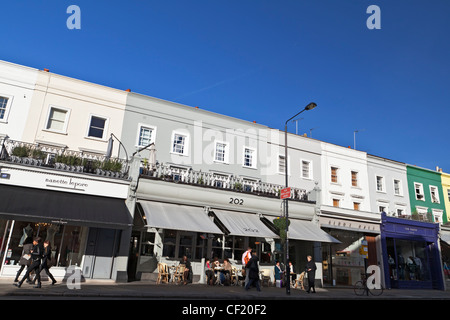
point(108, 289)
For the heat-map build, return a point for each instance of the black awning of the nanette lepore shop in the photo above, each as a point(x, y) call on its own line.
point(38, 205)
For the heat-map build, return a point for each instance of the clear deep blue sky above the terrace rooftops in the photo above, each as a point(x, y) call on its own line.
point(263, 61)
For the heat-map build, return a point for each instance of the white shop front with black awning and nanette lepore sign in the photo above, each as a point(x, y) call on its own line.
point(84, 230)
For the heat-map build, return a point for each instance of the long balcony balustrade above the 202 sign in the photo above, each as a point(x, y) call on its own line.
point(174, 174)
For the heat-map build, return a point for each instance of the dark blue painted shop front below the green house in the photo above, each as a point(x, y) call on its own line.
point(411, 254)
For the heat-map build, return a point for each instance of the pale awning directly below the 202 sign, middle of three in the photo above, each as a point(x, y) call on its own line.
point(244, 224)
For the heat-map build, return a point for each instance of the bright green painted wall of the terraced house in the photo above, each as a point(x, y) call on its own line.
point(427, 178)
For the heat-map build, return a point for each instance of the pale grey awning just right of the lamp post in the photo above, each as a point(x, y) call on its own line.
point(308, 231)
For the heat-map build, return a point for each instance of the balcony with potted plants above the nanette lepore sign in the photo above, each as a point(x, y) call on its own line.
point(62, 159)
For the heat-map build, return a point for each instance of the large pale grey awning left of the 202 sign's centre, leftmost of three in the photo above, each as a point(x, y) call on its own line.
point(177, 217)
